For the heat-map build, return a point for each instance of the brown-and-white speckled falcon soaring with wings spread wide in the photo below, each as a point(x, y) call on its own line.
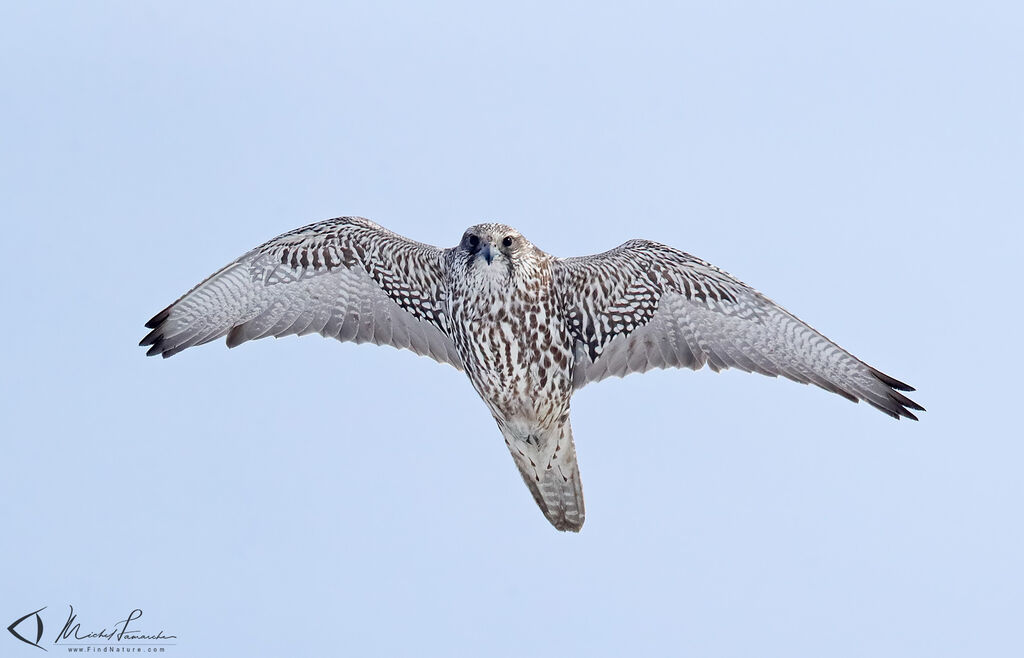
point(528, 328)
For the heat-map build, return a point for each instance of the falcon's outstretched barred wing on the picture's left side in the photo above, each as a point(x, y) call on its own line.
point(347, 279)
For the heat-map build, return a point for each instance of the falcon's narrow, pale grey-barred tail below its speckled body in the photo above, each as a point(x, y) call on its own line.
point(548, 465)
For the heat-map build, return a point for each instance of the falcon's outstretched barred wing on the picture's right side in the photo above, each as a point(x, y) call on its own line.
point(646, 305)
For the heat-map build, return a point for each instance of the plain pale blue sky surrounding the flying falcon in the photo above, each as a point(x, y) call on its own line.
point(862, 164)
